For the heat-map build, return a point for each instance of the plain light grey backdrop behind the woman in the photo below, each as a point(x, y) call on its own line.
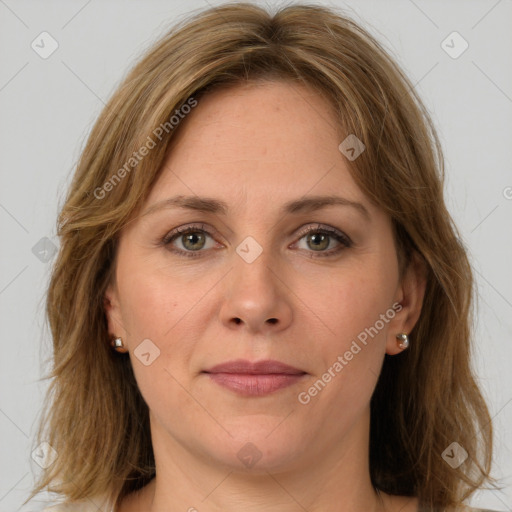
point(48, 106)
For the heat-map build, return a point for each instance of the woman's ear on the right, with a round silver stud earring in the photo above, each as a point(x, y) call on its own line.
point(410, 294)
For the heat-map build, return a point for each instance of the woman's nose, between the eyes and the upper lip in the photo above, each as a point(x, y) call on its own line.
point(257, 298)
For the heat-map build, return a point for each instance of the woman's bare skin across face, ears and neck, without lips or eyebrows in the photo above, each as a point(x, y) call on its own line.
point(257, 147)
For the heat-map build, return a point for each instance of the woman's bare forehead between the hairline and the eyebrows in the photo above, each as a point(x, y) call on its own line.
point(257, 141)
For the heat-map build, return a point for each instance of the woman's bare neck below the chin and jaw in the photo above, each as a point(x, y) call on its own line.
point(328, 477)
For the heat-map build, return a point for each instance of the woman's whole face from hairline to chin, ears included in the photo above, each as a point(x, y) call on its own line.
point(265, 273)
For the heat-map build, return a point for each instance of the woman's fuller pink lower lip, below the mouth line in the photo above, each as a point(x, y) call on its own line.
point(255, 385)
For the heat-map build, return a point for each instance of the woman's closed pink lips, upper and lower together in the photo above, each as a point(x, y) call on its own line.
point(254, 379)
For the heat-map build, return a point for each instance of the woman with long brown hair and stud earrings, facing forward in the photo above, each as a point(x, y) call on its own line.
point(261, 301)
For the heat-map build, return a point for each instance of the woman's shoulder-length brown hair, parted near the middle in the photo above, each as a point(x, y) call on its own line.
point(425, 399)
